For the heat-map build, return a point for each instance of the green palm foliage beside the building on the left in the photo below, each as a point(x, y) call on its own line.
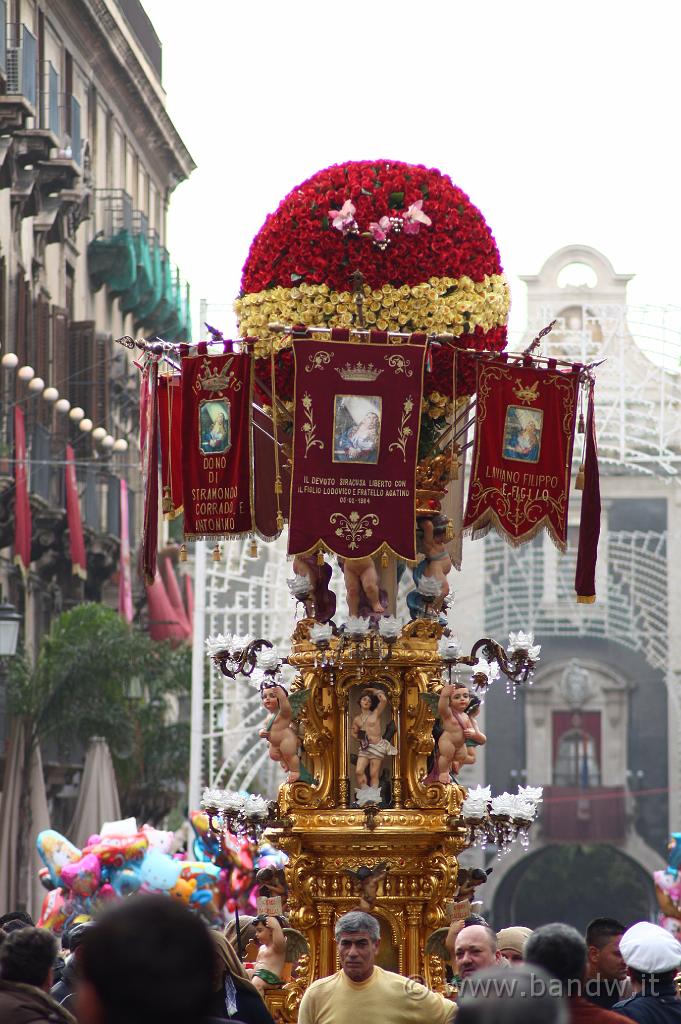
point(95, 676)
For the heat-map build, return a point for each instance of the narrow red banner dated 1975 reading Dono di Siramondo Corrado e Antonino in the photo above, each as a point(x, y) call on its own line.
point(218, 481)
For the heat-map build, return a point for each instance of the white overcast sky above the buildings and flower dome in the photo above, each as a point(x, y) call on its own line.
point(561, 120)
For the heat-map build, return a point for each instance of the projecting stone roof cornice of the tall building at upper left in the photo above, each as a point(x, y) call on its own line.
point(119, 70)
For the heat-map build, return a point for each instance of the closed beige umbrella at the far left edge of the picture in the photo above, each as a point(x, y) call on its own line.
point(24, 806)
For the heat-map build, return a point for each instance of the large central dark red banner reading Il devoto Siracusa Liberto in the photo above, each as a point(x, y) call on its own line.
point(357, 420)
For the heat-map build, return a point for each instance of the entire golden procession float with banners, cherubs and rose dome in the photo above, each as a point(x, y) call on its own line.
point(372, 356)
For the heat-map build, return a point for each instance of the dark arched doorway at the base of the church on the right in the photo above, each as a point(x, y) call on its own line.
point(575, 883)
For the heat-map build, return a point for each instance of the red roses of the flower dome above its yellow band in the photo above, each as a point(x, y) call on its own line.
point(299, 243)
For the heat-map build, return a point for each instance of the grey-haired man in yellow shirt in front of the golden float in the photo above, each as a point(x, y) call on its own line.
point(362, 992)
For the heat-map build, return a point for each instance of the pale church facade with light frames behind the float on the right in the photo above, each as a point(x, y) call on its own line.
point(624, 645)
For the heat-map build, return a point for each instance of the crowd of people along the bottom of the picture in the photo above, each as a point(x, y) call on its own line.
point(149, 960)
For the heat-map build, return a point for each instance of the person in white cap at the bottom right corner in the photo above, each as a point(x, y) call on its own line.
point(653, 957)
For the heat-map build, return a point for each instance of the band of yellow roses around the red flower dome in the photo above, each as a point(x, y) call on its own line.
point(439, 306)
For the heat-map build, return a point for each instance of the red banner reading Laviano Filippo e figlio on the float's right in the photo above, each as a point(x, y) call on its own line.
point(523, 455)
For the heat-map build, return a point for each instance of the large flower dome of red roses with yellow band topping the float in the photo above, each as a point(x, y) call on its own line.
point(429, 262)
